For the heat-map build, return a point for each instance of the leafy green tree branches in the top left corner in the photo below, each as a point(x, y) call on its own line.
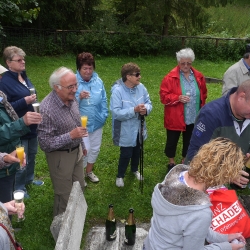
point(16, 12)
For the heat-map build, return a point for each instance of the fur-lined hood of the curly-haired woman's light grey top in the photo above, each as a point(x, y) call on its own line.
point(172, 197)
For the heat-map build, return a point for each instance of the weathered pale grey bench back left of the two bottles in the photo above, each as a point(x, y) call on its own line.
point(67, 228)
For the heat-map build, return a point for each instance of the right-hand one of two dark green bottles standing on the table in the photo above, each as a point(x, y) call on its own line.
point(130, 229)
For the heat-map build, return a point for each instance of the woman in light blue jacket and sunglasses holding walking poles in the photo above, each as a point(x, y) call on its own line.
point(129, 100)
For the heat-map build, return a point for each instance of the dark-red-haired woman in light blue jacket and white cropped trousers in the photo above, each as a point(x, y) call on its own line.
point(92, 99)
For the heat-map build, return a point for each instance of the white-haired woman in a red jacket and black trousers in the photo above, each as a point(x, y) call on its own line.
point(183, 92)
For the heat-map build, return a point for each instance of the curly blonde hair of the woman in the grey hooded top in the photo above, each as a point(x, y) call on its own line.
point(217, 162)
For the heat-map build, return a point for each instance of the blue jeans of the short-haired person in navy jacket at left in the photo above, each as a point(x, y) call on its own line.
point(26, 176)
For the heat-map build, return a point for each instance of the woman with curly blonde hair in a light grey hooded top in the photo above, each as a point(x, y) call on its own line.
point(181, 207)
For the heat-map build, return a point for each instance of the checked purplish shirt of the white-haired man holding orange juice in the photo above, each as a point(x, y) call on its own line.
point(58, 120)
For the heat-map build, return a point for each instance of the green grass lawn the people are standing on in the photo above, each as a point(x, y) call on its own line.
point(35, 233)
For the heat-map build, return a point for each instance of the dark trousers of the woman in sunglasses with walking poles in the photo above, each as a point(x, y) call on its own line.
point(127, 153)
